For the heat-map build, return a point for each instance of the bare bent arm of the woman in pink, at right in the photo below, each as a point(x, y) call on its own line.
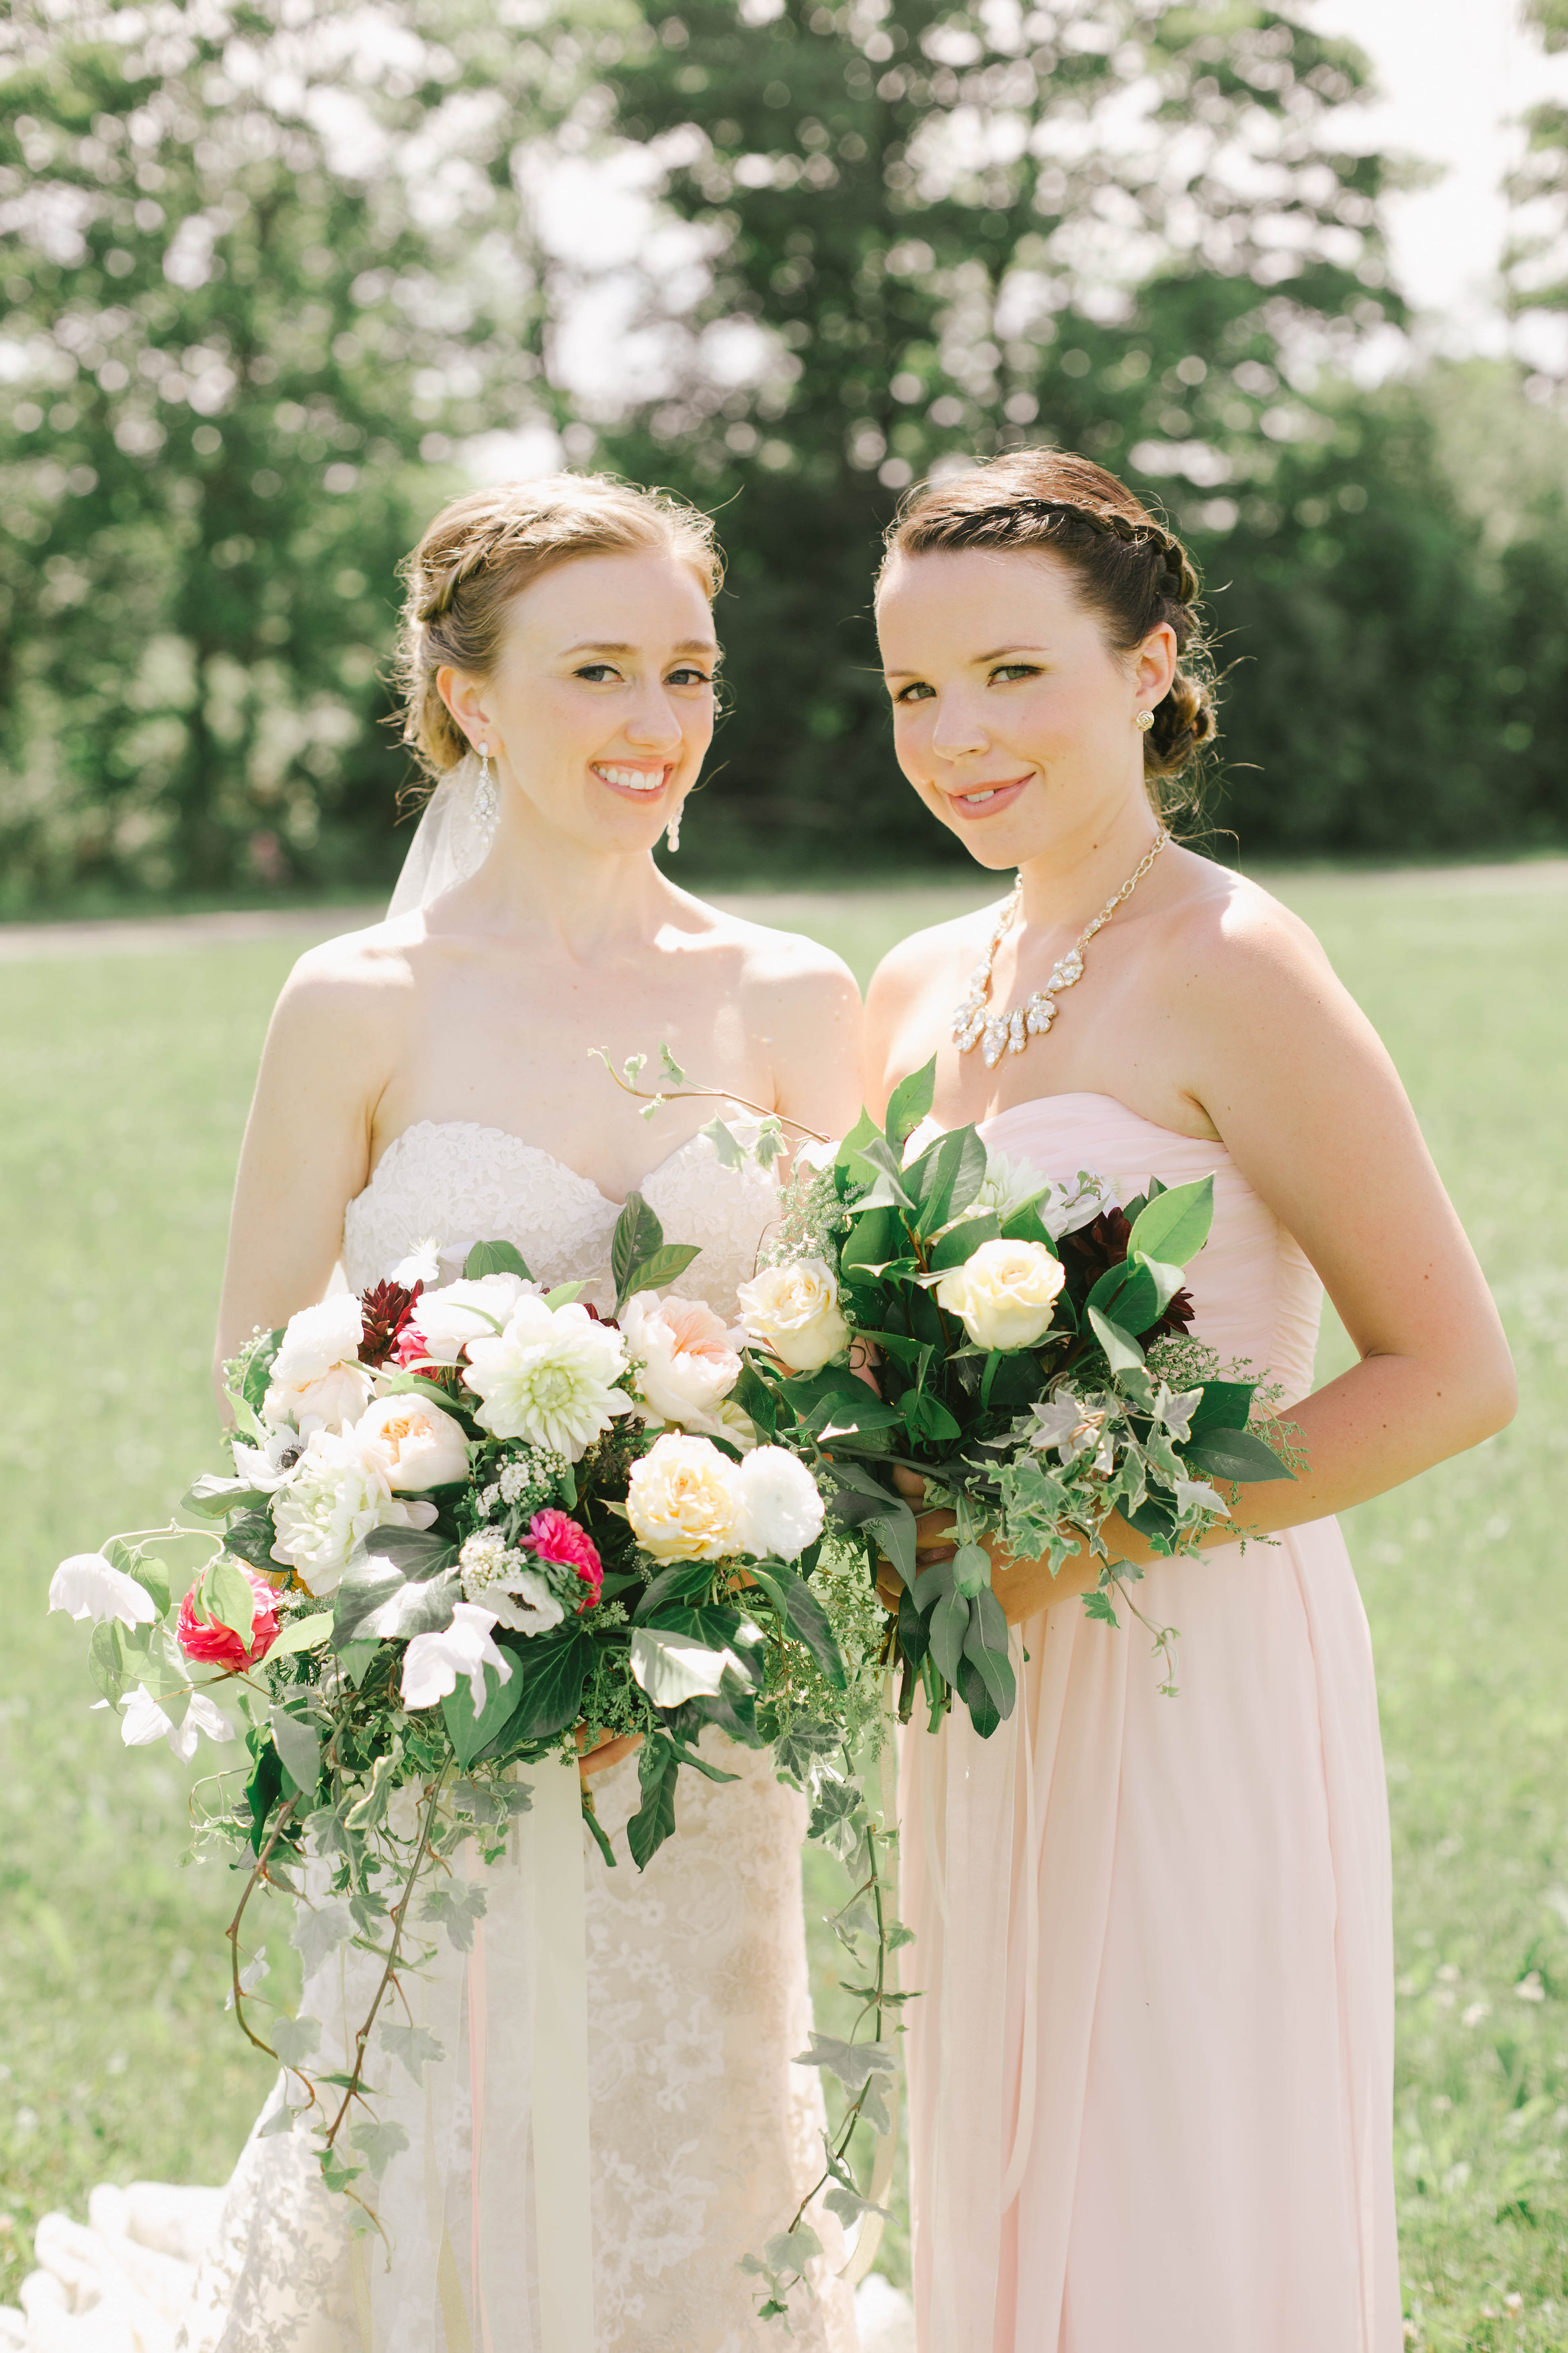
point(1304, 1095)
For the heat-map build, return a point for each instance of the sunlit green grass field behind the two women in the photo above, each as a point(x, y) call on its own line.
point(123, 1088)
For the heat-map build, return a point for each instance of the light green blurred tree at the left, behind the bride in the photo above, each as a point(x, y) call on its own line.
point(262, 267)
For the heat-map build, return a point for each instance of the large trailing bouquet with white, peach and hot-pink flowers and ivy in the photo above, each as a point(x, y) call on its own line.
point(467, 1528)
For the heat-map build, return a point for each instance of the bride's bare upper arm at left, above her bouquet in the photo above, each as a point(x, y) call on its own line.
point(307, 1140)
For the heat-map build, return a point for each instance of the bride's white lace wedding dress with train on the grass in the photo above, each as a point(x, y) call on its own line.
point(704, 2135)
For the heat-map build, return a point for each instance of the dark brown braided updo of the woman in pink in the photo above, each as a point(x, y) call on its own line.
point(1130, 568)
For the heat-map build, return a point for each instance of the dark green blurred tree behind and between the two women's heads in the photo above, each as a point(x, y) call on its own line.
point(1118, 225)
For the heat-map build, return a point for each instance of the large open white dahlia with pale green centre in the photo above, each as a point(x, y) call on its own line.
point(549, 1378)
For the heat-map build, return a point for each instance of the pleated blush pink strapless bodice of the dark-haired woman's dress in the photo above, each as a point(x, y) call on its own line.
point(1254, 1288)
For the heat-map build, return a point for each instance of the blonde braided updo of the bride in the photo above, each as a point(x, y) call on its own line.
point(483, 549)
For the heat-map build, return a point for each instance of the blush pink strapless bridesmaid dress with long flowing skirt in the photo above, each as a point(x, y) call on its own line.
point(1151, 2069)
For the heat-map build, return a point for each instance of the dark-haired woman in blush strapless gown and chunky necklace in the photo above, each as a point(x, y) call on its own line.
point(1153, 2062)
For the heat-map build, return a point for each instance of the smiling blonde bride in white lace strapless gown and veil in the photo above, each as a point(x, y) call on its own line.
point(431, 1081)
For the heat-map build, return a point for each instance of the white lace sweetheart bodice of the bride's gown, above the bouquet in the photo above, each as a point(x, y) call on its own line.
point(457, 1185)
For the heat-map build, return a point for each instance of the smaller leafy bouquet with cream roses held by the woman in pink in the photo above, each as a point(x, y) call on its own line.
point(1033, 1361)
